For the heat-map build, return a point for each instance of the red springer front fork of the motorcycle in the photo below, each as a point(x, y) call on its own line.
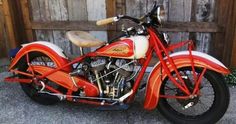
point(168, 63)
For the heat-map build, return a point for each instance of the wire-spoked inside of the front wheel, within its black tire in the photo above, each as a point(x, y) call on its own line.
point(199, 106)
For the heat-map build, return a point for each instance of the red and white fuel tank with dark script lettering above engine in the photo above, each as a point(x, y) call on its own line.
point(134, 47)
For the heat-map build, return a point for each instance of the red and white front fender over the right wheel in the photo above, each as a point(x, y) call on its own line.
point(181, 59)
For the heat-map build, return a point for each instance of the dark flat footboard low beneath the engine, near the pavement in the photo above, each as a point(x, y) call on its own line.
point(113, 108)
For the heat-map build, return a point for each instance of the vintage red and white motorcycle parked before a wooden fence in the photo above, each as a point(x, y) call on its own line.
point(185, 86)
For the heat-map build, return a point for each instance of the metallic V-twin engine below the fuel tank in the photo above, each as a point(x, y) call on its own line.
point(113, 76)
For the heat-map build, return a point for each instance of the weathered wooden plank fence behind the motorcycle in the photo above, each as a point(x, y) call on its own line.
point(201, 20)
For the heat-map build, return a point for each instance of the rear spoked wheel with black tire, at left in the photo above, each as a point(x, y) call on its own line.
point(32, 90)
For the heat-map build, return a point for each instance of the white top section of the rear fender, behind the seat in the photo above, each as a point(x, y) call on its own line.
point(54, 47)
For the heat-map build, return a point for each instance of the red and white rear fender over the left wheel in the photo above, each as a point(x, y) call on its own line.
point(49, 49)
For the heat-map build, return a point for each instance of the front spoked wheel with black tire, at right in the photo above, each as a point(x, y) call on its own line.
point(208, 107)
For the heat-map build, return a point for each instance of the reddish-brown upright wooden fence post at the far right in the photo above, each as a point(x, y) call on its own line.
point(221, 47)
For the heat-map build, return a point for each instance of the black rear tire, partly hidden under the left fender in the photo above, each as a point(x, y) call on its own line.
point(30, 89)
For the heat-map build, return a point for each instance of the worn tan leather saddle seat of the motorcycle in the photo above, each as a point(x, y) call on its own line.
point(83, 39)
